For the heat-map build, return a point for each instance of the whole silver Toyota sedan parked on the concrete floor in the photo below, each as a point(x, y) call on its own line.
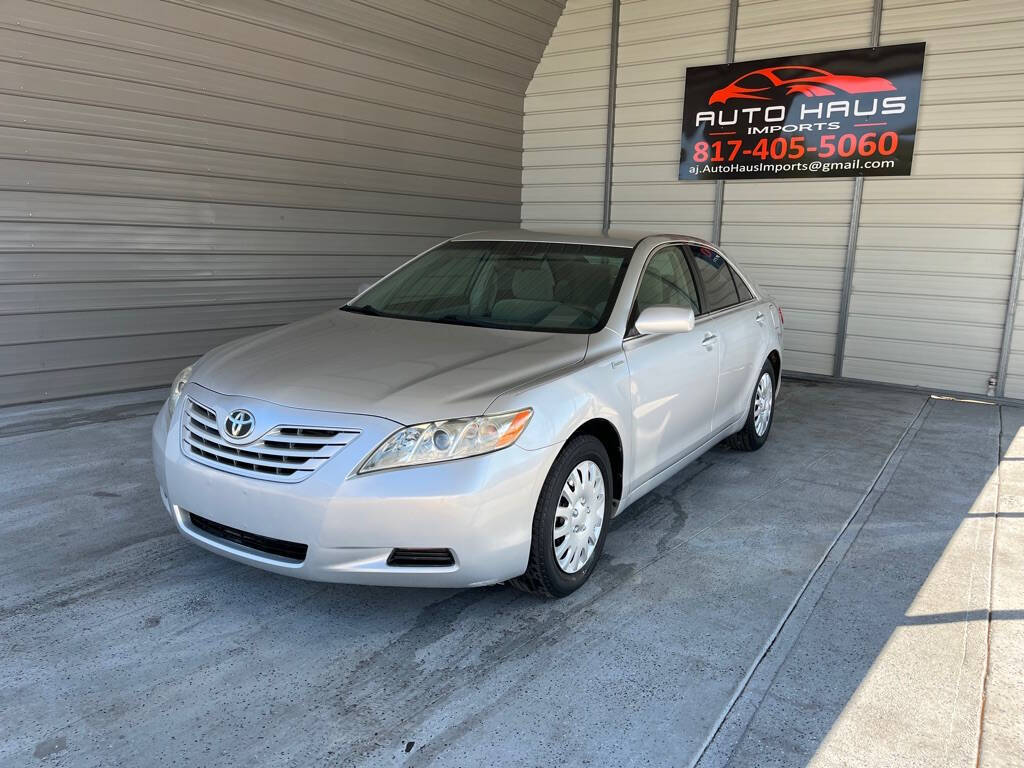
point(478, 416)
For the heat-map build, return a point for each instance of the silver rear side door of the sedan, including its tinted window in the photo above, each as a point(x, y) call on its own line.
point(731, 317)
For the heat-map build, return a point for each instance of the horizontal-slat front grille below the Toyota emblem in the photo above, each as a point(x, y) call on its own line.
point(287, 454)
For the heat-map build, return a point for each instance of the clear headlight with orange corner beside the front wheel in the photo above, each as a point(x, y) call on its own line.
point(443, 441)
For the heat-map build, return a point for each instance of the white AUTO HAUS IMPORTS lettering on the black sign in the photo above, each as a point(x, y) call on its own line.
point(821, 117)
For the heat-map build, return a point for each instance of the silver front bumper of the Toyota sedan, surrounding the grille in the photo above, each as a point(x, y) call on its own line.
point(481, 508)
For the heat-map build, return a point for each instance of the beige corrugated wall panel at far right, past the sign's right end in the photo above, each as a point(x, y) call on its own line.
point(935, 249)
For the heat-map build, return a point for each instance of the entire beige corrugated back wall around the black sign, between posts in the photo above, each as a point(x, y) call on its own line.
point(934, 251)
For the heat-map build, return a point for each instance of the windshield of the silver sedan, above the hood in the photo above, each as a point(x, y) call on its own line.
point(527, 286)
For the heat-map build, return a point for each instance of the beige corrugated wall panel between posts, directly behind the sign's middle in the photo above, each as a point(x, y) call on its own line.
point(793, 234)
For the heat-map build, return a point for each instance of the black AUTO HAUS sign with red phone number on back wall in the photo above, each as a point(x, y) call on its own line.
point(851, 113)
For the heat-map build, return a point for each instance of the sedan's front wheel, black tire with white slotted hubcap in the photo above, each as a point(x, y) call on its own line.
point(545, 575)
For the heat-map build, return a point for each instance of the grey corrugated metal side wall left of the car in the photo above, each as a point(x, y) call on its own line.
point(175, 175)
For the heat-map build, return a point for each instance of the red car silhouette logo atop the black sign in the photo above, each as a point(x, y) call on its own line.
point(773, 82)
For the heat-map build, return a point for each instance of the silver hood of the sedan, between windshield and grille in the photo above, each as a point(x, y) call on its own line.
point(406, 371)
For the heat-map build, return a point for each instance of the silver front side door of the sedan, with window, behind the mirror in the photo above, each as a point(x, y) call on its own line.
point(674, 377)
